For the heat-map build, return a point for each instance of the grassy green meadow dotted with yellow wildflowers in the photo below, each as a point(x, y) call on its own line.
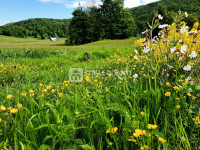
point(147, 97)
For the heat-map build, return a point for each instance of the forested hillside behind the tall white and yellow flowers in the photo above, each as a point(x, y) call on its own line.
point(166, 8)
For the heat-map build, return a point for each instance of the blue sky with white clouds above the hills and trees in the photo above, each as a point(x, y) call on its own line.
point(16, 10)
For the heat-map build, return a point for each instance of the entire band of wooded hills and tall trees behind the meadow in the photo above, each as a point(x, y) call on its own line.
point(109, 21)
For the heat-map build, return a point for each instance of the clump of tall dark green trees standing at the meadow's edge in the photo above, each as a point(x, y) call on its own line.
point(109, 21)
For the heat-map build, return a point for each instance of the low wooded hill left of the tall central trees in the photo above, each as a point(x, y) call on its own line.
point(39, 28)
